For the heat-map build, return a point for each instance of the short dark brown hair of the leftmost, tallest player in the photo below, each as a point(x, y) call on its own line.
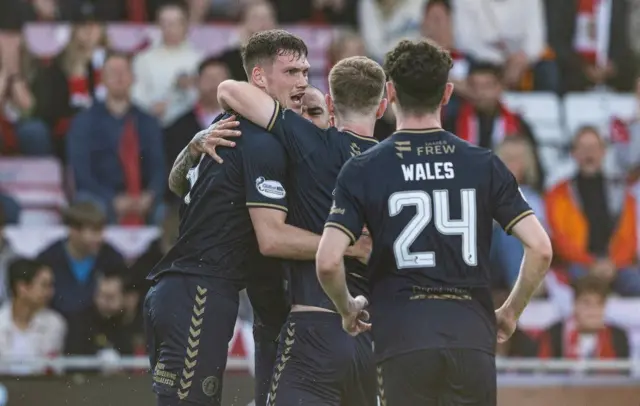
point(268, 45)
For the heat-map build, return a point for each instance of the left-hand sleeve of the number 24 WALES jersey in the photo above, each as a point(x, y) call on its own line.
point(347, 211)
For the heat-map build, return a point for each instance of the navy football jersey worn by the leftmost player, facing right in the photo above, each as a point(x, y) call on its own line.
point(216, 237)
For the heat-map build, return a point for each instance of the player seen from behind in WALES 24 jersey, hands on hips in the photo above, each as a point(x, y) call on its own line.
point(429, 200)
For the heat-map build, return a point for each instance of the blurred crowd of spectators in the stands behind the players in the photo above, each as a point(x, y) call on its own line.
point(117, 121)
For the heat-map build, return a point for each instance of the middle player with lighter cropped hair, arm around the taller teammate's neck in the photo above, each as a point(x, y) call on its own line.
point(318, 363)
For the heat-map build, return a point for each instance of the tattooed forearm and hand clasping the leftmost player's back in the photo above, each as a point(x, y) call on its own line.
point(204, 142)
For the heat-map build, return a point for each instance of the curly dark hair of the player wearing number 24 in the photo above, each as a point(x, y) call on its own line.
point(419, 71)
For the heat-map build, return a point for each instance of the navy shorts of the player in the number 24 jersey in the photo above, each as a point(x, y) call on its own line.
point(439, 377)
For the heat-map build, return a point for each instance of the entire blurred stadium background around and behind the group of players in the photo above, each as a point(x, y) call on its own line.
point(97, 98)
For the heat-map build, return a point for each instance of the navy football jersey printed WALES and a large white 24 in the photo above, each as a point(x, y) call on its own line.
point(429, 200)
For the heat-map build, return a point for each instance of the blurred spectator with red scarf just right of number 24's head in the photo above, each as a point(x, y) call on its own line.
point(483, 120)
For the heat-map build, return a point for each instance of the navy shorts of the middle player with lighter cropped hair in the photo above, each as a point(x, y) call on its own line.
point(316, 362)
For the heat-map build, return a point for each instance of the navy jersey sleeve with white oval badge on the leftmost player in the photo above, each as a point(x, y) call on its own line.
point(264, 162)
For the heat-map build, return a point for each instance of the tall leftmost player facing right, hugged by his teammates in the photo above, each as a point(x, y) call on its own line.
point(191, 310)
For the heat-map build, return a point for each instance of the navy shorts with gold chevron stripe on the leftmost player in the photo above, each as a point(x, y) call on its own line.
point(189, 321)
